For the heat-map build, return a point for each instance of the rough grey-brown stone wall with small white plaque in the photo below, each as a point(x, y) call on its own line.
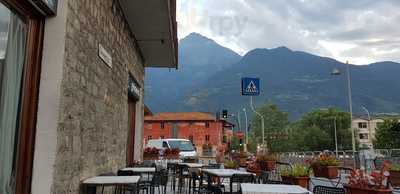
point(93, 125)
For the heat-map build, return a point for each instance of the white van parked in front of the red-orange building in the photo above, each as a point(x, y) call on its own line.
point(187, 151)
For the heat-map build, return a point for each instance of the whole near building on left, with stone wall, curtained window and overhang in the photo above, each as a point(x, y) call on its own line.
point(71, 87)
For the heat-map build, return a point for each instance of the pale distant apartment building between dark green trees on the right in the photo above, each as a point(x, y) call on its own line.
point(365, 130)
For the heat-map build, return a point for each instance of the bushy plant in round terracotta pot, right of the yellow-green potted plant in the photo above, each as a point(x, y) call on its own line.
point(325, 165)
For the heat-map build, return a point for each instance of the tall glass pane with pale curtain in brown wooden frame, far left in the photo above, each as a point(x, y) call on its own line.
point(13, 33)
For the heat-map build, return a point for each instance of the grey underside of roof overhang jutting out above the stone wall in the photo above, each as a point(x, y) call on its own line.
point(153, 23)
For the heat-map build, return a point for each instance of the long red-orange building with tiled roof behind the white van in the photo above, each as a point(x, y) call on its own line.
point(210, 135)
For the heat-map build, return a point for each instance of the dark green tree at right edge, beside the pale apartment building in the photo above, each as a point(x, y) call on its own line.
point(387, 135)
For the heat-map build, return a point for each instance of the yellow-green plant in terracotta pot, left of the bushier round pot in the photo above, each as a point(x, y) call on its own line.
point(298, 175)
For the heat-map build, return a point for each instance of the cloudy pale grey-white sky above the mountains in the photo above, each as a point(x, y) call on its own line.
point(358, 31)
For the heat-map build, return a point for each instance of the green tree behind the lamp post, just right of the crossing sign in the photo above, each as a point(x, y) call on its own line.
point(275, 122)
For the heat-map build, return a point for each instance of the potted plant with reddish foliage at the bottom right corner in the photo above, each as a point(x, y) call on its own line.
point(373, 183)
